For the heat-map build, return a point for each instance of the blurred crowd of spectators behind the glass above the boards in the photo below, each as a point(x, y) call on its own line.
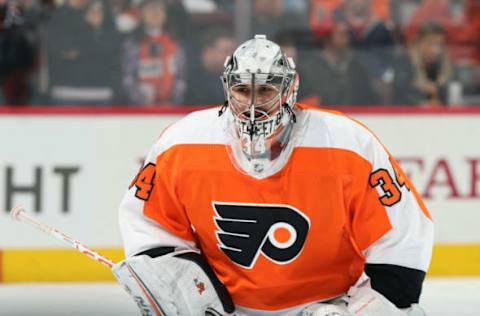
point(171, 52)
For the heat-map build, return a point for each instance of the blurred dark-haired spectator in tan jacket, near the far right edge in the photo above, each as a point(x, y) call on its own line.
point(422, 75)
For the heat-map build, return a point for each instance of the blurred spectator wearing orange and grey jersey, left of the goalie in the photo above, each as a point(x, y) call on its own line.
point(153, 61)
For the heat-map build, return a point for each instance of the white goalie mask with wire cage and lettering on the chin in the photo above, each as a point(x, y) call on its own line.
point(260, 85)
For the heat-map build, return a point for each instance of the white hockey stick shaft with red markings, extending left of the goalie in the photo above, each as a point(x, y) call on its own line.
point(20, 214)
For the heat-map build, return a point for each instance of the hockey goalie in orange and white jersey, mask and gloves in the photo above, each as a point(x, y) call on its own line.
point(268, 207)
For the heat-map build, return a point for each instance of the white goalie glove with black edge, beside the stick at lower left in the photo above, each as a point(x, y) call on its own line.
point(177, 283)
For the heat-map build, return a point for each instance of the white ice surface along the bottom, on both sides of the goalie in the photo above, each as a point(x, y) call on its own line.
point(441, 297)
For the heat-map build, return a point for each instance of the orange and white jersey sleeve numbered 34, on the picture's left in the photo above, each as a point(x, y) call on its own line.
point(150, 213)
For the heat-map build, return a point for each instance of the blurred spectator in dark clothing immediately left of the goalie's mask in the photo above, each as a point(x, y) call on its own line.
point(204, 80)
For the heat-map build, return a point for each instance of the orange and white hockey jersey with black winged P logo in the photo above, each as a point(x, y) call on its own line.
point(300, 235)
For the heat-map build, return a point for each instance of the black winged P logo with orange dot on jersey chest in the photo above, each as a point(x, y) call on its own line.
point(247, 230)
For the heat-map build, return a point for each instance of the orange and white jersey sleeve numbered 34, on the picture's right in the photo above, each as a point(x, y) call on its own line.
point(391, 224)
